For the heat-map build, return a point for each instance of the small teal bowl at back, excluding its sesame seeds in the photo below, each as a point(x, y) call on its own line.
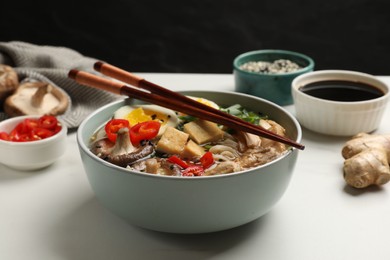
point(273, 87)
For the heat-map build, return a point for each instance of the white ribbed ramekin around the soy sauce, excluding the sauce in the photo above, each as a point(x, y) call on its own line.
point(339, 118)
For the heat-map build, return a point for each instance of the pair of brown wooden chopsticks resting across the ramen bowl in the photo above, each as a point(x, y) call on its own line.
point(169, 99)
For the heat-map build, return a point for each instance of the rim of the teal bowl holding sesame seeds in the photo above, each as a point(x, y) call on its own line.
point(309, 67)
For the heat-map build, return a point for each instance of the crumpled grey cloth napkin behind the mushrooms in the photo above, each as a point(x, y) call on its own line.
point(52, 64)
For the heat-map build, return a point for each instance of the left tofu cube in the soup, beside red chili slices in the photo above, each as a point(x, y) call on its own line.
point(172, 141)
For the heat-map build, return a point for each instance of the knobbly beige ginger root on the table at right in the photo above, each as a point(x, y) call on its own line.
point(367, 160)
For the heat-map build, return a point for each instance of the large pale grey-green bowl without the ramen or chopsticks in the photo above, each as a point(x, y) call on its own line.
point(190, 205)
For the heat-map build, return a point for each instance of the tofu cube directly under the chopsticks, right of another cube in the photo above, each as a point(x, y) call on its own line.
point(202, 131)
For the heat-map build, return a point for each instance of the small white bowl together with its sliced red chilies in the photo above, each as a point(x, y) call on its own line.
point(30, 143)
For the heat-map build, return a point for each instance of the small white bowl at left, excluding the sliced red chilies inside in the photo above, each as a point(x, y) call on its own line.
point(31, 155)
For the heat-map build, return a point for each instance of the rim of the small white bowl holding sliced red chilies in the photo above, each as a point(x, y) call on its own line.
point(19, 119)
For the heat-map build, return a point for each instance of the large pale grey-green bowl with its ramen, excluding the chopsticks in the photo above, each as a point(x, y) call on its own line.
point(164, 191)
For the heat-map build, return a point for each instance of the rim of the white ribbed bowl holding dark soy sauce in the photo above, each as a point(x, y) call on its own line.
point(295, 87)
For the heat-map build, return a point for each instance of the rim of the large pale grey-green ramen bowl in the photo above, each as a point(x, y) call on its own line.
point(85, 149)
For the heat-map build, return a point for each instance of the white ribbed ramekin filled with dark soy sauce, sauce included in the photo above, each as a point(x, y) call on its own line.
point(339, 102)
